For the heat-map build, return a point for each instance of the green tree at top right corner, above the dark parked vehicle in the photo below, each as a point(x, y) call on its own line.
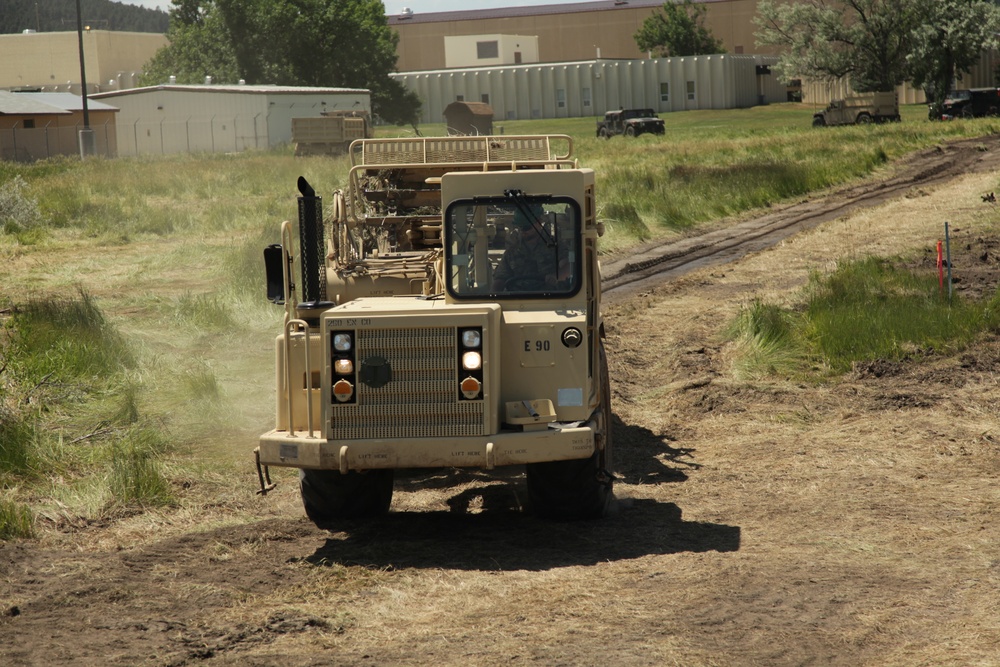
point(950, 41)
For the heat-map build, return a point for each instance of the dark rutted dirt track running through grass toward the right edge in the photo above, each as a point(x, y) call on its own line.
point(650, 265)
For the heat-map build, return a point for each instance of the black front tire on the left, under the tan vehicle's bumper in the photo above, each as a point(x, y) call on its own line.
point(329, 496)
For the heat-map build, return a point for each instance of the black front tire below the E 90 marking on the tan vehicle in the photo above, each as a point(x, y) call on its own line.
point(580, 488)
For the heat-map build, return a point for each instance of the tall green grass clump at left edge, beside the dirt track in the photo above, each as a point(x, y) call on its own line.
point(70, 410)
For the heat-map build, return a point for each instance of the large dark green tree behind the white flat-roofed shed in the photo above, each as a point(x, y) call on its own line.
point(341, 43)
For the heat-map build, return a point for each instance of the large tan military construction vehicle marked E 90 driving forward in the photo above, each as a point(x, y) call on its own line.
point(448, 315)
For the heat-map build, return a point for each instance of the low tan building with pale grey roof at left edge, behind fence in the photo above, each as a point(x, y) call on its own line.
point(34, 126)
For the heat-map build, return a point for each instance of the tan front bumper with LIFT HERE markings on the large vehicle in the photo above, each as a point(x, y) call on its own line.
point(300, 450)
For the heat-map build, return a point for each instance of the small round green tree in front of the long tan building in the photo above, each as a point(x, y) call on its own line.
point(677, 29)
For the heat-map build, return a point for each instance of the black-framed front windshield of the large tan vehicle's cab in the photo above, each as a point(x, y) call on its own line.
point(513, 247)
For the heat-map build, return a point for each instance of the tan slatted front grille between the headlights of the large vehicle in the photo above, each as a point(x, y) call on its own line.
point(420, 401)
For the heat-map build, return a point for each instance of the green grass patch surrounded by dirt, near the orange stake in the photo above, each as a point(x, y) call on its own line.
point(867, 309)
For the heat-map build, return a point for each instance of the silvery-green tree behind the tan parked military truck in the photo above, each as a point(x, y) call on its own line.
point(868, 40)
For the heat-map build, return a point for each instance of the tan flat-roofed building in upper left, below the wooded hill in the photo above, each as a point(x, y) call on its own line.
point(50, 61)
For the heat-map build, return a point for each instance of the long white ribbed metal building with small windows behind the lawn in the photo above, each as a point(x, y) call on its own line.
point(589, 88)
